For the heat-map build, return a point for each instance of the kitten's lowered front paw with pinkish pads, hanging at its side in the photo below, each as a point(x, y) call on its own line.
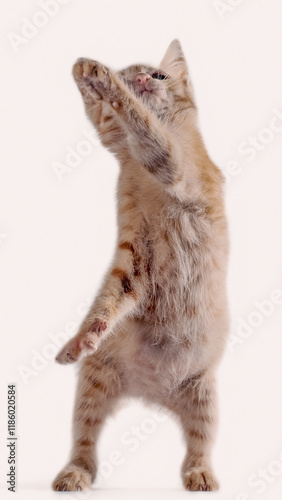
point(84, 344)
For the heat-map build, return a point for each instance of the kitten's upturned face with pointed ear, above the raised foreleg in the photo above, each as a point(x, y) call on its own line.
point(163, 89)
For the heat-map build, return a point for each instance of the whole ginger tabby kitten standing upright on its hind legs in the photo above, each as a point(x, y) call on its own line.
point(158, 326)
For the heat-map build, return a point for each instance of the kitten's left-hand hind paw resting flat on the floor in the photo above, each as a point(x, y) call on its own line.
point(72, 478)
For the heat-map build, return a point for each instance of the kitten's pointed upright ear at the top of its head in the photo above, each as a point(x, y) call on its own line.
point(174, 62)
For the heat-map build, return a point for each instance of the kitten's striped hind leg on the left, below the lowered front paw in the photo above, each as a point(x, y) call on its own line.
point(98, 391)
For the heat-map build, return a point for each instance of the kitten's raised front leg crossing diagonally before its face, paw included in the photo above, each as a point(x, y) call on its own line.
point(148, 140)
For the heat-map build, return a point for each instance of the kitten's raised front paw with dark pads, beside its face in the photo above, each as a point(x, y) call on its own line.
point(92, 76)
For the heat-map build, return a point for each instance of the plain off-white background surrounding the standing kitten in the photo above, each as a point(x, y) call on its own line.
point(57, 236)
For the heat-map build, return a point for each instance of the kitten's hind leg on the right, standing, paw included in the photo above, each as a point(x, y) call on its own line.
point(196, 406)
